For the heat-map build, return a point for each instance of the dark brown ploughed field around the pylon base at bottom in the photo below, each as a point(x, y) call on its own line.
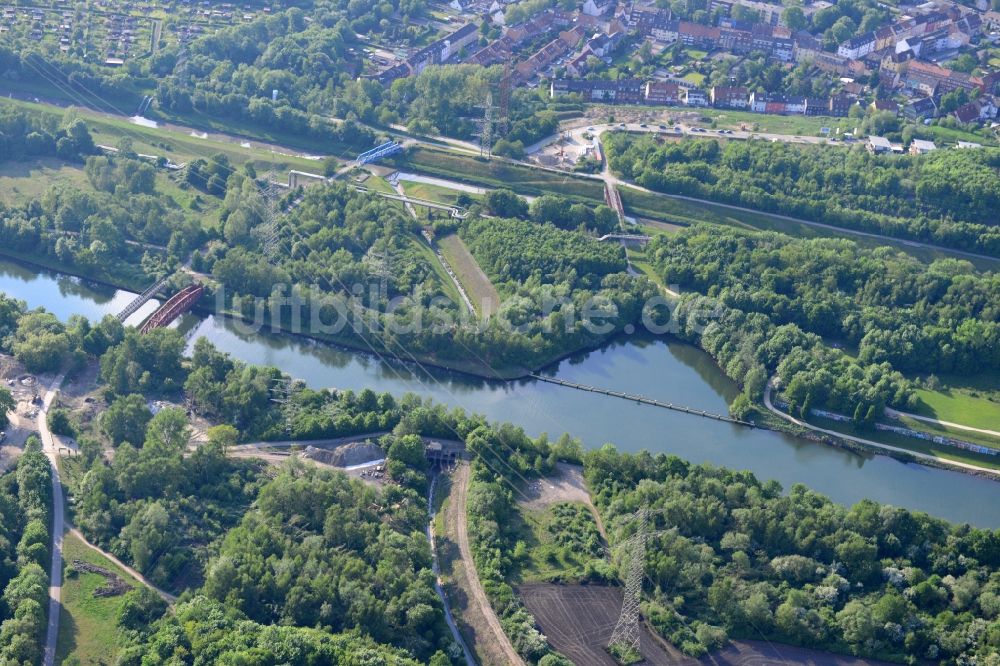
point(578, 621)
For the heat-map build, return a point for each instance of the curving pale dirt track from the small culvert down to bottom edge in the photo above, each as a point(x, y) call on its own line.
point(478, 611)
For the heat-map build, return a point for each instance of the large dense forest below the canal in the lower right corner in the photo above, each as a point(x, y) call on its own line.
point(730, 556)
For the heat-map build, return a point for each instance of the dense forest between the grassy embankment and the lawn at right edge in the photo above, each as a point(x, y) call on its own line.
point(942, 317)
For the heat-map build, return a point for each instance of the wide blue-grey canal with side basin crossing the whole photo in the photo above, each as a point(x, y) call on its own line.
point(665, 370)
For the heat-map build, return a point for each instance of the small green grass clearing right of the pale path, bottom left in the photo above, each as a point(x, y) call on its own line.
point(87, 624)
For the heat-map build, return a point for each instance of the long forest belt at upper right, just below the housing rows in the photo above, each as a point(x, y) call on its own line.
point(949, 197)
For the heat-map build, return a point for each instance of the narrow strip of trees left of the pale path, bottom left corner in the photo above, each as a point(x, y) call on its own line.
point(25, 510)
